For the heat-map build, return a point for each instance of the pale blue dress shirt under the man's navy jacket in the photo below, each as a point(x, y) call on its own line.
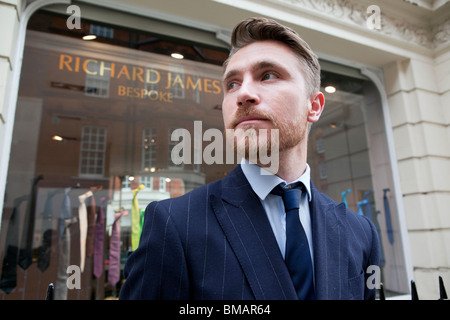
point(263, 184)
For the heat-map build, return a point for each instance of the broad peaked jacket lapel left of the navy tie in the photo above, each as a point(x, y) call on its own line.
point(250, 235)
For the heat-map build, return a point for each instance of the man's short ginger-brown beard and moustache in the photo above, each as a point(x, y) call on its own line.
point(254, 143)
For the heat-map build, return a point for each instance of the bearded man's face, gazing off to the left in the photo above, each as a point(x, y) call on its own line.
point(264, 88)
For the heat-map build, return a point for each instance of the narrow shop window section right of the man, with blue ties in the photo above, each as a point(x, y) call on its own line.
point(347, 152)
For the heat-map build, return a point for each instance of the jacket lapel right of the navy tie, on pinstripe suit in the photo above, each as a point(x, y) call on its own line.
point(330, 247)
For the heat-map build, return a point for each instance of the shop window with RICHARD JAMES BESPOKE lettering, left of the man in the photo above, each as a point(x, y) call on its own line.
point(97, 125)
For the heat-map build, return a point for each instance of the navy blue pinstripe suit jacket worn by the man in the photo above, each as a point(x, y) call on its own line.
point(216, 243)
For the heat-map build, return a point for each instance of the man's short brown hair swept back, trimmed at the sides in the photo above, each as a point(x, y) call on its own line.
point(259, 29)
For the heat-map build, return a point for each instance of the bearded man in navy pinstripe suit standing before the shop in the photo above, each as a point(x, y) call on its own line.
point(231, 239)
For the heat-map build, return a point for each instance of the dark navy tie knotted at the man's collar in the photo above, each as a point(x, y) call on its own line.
point(297, 256)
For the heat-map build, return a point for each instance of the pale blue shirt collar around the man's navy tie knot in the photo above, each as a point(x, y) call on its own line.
point(262, 181)
